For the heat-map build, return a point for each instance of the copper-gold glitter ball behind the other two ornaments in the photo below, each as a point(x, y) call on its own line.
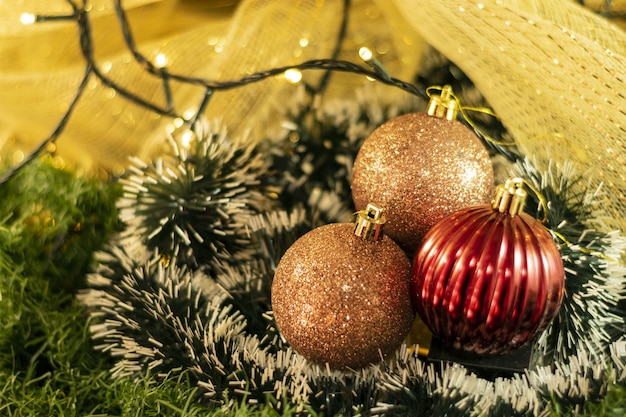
point(421, 167)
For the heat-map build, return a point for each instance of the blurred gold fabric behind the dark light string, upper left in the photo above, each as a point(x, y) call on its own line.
point(200, 39)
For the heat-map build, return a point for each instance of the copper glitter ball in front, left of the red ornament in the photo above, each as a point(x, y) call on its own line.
point(341, 293)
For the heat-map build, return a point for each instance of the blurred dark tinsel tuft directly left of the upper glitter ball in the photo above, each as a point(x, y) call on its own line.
point(317, 151)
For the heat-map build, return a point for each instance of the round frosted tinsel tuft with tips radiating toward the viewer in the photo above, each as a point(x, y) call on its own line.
point(196, 201)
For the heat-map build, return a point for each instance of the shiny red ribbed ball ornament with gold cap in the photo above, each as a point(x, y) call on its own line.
point(488, 278)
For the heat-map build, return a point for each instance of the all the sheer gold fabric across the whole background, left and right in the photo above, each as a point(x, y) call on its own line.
point(553, 71)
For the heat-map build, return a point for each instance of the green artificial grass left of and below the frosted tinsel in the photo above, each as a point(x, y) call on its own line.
point(51, 222)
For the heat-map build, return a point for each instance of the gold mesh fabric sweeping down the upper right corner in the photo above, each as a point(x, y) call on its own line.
point(553, 71)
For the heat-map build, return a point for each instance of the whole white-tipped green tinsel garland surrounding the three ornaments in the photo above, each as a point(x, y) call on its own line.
point(156, 312)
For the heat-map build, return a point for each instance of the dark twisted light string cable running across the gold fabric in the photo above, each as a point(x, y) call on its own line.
point(81, 16)
